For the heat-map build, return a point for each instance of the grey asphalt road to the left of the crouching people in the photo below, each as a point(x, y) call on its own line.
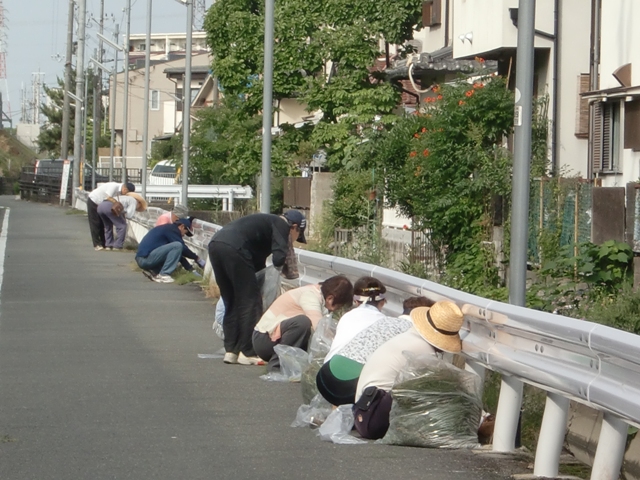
point(100, 379)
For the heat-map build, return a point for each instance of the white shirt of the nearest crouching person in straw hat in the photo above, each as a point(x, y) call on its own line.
point(384, 365)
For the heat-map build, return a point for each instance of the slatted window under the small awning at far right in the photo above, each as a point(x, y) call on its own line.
point(606, 137)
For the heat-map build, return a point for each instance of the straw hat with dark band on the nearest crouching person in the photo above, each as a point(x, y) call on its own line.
point(439, 325)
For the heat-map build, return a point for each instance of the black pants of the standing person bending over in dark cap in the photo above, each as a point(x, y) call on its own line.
point(236, 278)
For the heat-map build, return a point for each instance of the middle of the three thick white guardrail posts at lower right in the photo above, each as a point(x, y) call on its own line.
point(551, 440)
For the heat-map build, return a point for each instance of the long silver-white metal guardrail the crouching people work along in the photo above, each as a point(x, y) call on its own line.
point(568, 358)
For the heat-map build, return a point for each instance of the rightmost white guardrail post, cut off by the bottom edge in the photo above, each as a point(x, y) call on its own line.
point(611, 446)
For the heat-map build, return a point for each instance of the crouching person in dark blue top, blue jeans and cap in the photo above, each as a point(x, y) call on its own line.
point(162, 248)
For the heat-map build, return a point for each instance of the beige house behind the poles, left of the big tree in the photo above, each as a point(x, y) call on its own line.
point(165, 102)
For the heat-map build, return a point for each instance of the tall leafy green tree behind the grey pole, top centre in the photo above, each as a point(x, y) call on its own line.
point(324, 55)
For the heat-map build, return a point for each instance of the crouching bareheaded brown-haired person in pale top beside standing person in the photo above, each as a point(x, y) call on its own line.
point(293, 316)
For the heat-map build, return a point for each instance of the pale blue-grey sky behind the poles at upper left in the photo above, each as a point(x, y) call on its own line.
point(35, 34)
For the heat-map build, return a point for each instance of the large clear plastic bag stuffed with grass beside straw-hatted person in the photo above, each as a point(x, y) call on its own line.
point(435, 405)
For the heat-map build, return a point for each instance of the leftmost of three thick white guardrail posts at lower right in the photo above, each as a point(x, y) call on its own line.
point(508, 414)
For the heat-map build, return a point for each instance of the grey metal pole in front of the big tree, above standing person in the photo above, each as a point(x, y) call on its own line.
point(267, 107)
